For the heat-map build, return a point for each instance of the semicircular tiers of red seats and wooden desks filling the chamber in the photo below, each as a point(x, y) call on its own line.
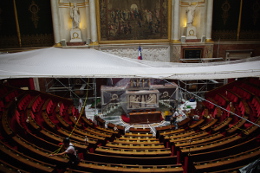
point(34, 123)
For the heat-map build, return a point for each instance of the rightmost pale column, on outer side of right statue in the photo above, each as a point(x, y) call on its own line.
point(209, 20)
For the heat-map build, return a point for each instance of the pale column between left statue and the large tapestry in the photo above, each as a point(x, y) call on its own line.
point(93, 22)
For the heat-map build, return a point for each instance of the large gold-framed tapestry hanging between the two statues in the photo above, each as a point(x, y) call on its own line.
point(133, 19)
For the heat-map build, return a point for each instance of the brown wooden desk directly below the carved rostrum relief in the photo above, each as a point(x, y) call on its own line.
point(145, 117)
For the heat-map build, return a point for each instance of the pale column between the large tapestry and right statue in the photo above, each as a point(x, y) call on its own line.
point(176, 21)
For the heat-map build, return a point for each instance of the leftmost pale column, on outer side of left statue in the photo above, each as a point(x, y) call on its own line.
point(55, 22)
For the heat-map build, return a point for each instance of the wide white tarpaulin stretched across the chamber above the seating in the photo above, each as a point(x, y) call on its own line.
point(91, 63)
